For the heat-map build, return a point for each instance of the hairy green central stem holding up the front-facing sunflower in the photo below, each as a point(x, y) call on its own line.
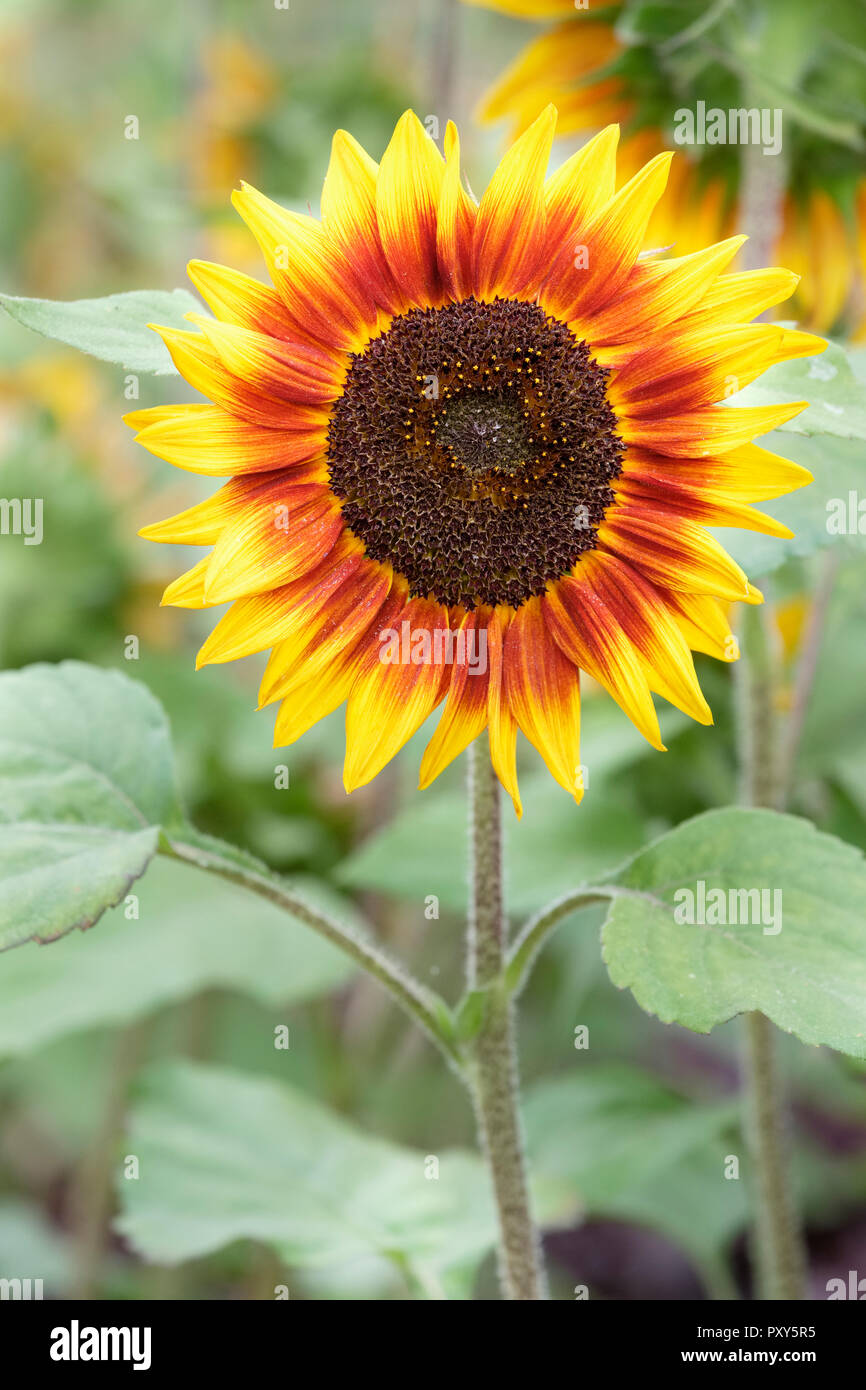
point(494, 1057)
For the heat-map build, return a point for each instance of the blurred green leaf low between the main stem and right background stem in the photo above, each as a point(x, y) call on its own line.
point(629, 1147)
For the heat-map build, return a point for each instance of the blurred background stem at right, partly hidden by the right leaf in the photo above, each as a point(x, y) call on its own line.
point(778, 1243)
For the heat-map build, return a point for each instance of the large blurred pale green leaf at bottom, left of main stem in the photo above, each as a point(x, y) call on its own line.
point(226, 1157)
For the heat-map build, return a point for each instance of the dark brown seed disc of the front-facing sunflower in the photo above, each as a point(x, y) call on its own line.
point(473, 447)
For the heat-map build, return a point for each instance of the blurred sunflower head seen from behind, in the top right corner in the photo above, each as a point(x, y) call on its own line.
point(642, 66)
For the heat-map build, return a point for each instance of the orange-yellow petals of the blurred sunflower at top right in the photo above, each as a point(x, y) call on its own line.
point(582, 66)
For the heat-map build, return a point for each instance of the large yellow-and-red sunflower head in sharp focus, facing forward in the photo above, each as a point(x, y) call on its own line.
point(473, 450)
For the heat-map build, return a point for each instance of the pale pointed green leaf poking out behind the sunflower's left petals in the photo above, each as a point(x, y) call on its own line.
point(113, 329)
